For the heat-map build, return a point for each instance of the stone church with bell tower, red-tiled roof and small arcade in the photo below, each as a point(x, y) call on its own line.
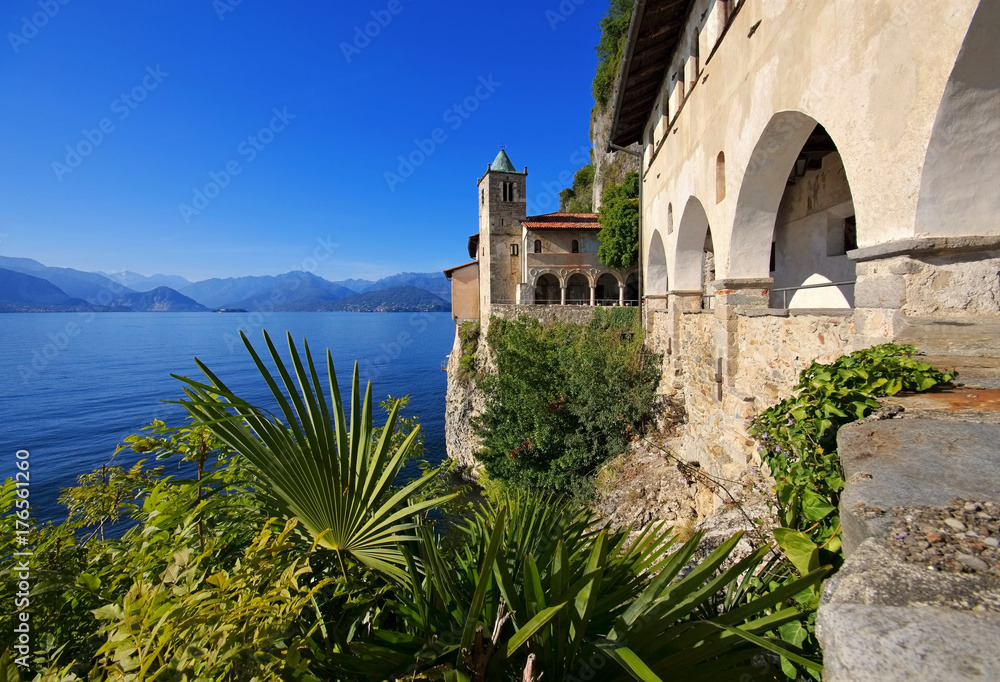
point(544, 260)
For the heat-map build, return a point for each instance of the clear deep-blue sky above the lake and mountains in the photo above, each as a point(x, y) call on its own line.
point(182, 93)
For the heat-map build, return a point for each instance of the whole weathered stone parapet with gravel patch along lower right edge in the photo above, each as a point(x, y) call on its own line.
point(918, 597)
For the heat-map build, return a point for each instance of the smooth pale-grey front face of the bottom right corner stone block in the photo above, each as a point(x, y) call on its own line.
point(885, 644)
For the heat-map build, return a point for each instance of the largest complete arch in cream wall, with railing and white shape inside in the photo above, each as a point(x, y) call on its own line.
point(795, 218)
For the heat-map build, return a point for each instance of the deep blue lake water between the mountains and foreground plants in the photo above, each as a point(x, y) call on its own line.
point(76, 384)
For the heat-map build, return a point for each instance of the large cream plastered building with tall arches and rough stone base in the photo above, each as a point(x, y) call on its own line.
point(803, 143)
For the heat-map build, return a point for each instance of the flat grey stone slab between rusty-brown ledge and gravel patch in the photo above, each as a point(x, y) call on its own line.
point(910, 462)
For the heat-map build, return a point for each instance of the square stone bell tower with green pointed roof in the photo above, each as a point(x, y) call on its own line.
point(502, 207)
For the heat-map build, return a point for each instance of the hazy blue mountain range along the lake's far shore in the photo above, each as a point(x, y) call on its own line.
point(28, 286)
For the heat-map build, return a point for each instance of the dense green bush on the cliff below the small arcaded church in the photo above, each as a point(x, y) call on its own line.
point(564, 399)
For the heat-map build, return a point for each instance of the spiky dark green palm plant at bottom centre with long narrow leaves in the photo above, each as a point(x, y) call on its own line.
point(537, 585)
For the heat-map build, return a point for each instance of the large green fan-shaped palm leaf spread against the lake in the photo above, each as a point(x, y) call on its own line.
point(333, 475)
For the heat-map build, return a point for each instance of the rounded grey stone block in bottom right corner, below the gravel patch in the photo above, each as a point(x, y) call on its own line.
point(885, 619)
